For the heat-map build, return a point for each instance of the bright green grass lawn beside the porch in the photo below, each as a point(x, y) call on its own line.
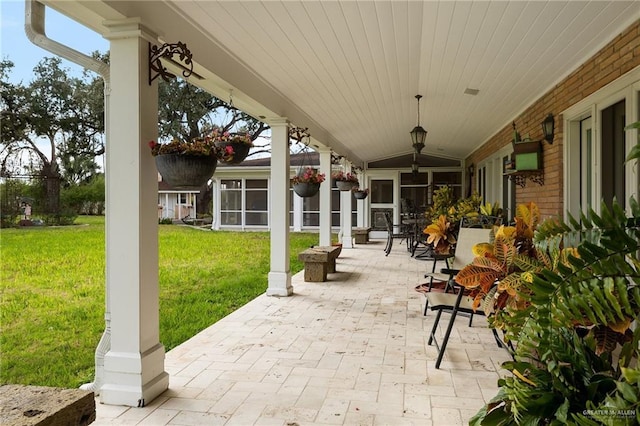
point(52, 283)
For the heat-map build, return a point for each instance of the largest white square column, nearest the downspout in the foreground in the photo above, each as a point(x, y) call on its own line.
point(134, 366)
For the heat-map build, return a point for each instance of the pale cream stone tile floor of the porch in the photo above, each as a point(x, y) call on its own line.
point(350, 351)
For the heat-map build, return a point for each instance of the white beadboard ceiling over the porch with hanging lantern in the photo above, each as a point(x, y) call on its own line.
point(349, 70)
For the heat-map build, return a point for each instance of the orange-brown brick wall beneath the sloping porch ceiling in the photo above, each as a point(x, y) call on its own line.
point(618, 57)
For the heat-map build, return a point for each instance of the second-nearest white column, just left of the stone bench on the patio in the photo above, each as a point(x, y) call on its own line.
point(280, 274)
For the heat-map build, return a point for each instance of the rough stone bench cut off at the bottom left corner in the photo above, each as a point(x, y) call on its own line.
point(38, 405)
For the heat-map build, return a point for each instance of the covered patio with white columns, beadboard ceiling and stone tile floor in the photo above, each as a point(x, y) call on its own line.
point(351, 350)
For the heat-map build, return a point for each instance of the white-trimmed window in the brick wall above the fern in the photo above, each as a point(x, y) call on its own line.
point(596, 145)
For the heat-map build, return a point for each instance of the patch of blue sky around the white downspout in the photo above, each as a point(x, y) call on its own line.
point(15, 46)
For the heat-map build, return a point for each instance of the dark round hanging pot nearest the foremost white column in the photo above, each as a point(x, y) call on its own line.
point(186, 171)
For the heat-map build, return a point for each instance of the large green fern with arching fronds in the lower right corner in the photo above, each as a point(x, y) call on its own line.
point(593, 285)
